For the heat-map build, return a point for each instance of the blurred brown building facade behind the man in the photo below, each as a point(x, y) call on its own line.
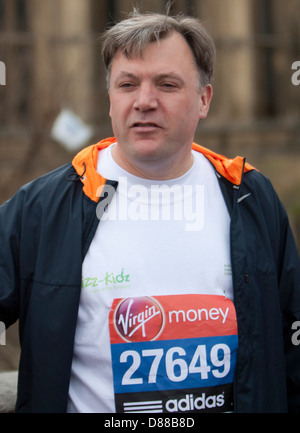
point(52, 56)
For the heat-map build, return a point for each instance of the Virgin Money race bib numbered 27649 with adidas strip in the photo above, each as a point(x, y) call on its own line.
point(173, 354)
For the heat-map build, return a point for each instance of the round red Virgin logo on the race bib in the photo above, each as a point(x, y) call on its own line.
point(139, 319)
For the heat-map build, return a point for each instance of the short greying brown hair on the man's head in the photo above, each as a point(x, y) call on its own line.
point(133, 34)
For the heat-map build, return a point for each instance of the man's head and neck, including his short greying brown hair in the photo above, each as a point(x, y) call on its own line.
point(159, 70)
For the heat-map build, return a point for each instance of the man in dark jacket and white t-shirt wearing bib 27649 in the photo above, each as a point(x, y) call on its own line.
point(184, 297)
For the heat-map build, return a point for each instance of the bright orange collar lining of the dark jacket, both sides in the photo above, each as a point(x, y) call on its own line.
point(93, 183)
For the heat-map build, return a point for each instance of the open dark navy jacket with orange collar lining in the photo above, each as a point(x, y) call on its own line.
point(46, 230)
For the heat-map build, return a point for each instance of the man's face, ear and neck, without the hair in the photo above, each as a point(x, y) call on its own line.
point(156, 104)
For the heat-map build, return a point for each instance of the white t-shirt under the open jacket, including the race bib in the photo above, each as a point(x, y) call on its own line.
point(157, 241)
